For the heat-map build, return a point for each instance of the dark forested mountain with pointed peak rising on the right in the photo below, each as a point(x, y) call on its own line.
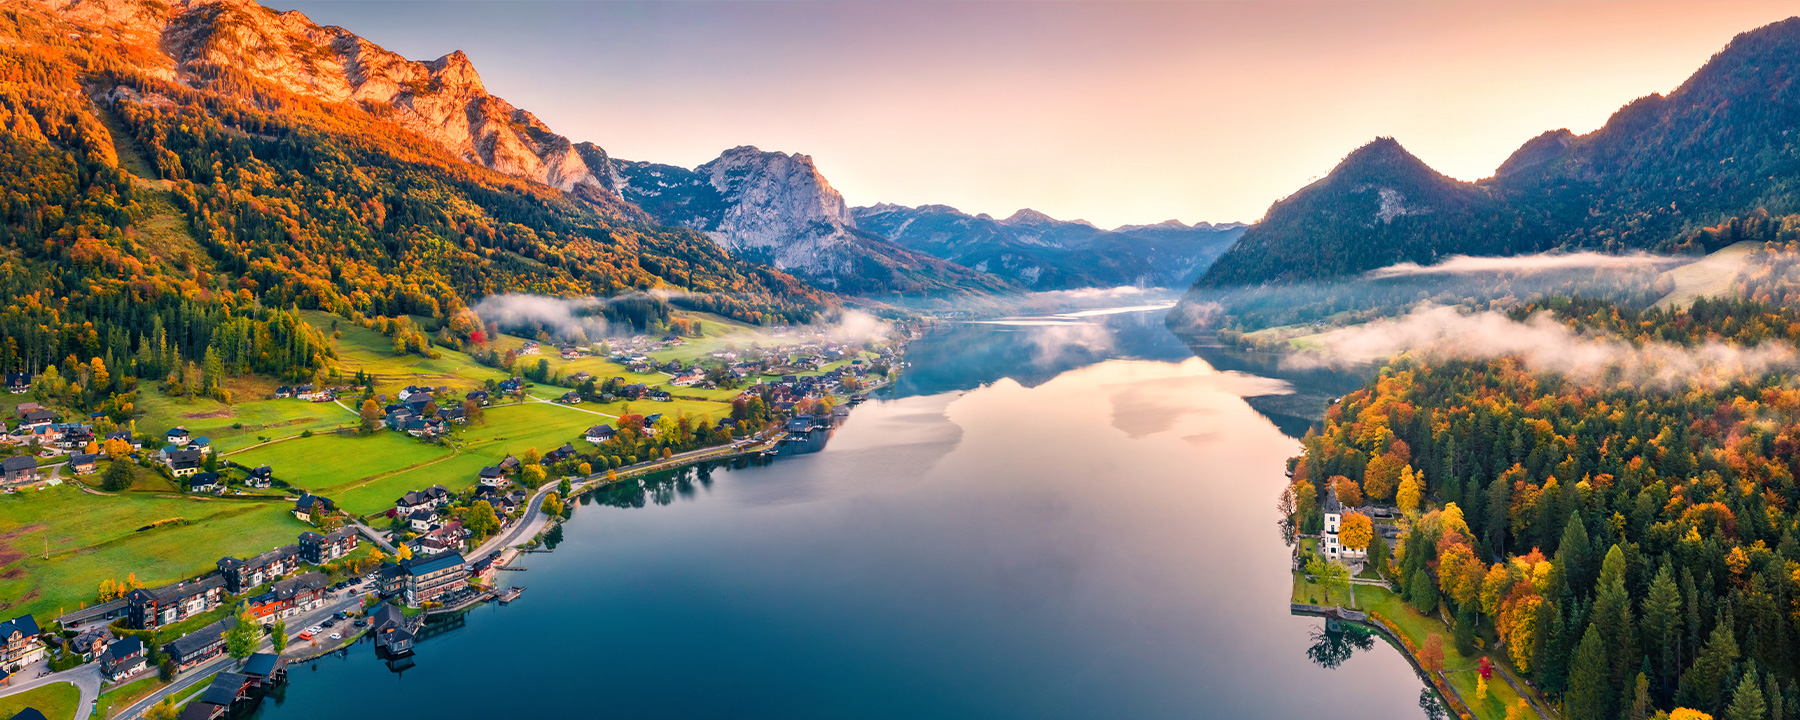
point(1718, 147)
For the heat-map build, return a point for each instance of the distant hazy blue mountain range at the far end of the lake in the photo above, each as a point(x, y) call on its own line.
point(1041, 253)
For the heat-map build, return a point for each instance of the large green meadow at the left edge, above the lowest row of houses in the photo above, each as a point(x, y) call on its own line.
point(107, 543)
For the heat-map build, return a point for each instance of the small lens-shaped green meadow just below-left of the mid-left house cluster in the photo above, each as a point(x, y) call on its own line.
point(334, 463)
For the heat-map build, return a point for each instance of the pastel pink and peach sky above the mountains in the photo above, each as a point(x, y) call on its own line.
point(1115, 112)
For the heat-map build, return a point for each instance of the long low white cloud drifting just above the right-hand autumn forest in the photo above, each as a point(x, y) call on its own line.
point(1545, 346)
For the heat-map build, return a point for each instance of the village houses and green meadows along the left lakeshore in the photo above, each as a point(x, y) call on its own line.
point(368, 568)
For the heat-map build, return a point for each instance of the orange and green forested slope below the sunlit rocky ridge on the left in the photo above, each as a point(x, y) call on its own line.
point(148, 217)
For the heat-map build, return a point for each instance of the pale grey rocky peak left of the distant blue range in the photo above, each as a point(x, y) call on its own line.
point(778, 210)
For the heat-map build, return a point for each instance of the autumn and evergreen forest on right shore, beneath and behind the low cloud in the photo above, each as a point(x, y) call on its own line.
point(1630, 548)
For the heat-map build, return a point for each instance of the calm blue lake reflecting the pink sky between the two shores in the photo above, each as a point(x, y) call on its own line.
point(1041, 521)
